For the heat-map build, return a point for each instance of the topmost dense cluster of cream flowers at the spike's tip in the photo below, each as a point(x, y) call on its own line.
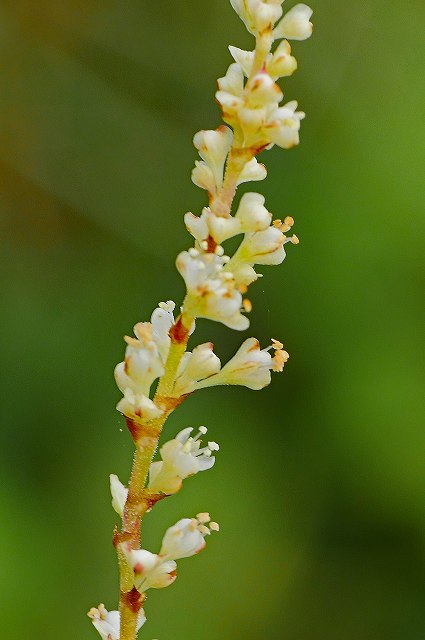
point(253, 106)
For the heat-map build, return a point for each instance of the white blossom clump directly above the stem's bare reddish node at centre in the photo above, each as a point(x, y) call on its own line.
point(211, 293)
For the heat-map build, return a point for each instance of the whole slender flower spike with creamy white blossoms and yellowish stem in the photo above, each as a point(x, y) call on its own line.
point(215, 285)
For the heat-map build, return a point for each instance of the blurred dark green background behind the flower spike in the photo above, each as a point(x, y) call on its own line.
point(319, 486)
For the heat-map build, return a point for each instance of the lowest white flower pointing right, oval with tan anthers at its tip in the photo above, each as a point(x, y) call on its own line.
point(186, 537)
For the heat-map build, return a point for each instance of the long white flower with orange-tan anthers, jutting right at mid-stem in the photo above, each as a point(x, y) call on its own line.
point(250, 366)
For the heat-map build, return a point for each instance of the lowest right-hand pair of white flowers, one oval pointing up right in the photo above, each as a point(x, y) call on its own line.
point(158, 570)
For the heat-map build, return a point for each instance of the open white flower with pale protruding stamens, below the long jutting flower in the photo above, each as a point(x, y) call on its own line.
point(181, 457)
